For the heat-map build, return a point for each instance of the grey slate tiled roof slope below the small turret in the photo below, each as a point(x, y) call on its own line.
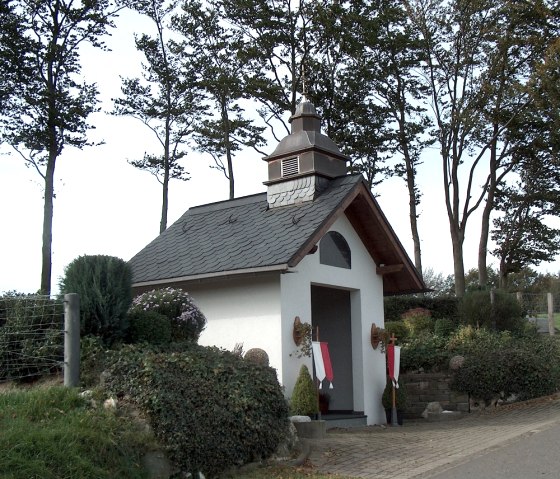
point(237, 234)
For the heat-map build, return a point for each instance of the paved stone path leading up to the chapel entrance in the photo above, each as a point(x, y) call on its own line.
point(421, 450)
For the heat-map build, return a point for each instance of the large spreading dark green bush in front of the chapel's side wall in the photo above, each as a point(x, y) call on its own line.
point(209, 407)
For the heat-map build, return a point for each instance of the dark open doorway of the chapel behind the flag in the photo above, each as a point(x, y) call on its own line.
point(331, 312)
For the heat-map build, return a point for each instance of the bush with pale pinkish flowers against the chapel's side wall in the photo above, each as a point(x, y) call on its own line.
point(187, 321)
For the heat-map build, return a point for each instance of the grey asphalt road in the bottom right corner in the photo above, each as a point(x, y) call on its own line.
point(534, 455)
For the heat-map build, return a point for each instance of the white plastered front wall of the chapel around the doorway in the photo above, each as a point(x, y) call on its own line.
point(366, 298)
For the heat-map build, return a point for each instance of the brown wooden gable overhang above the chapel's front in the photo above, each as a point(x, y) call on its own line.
point(362, 210)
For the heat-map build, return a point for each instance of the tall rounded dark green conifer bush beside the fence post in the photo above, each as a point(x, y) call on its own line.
point(104, 285)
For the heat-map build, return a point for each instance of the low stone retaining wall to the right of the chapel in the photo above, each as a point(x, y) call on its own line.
point(423, 388)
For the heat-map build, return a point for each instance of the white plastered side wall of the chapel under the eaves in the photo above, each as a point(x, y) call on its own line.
point(242, 310)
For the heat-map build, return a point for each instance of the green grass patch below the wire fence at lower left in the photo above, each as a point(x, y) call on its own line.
point(53, 434)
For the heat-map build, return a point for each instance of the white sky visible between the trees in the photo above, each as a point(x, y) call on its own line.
point(105, 206)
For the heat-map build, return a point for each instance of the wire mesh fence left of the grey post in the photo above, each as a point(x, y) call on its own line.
point(31, 336)
